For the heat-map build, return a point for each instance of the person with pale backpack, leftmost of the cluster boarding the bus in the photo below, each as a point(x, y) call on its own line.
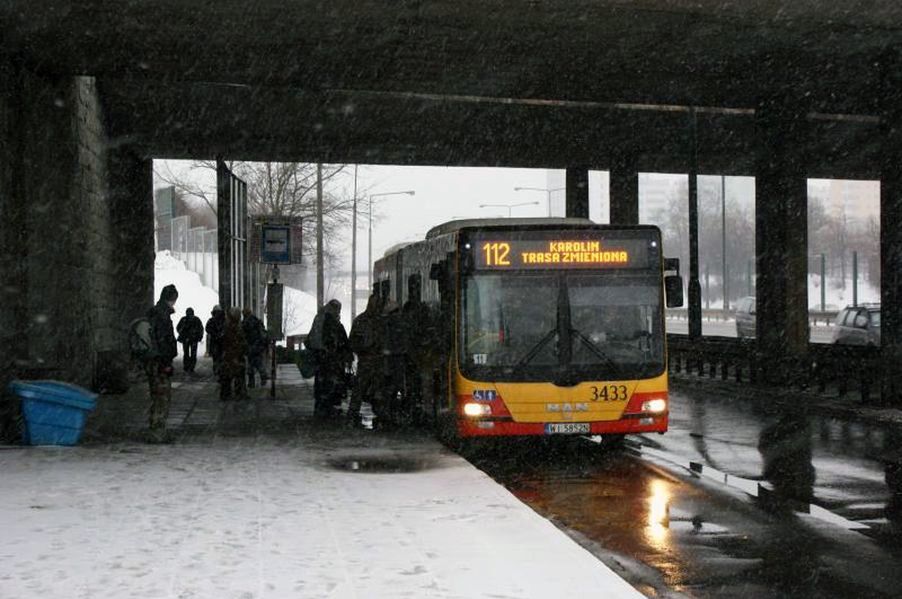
point(329, 342)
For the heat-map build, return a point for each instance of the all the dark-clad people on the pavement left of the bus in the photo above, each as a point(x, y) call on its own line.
point(393, 346)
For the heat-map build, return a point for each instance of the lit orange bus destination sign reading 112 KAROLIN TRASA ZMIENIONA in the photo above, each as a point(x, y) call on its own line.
point(501, 252)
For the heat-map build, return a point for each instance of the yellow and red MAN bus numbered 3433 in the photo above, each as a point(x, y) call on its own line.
point(549, 326)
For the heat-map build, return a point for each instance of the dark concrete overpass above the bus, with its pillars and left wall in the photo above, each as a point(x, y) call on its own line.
point(91, 91)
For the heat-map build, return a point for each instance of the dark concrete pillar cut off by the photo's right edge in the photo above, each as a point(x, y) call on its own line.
point(891, 258)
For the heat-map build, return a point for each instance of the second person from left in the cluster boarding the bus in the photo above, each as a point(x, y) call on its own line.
point(365, 343)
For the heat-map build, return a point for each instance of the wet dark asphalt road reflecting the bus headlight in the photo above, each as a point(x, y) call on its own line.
point(773, 504)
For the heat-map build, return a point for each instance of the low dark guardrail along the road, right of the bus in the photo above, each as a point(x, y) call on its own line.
point(841, 367)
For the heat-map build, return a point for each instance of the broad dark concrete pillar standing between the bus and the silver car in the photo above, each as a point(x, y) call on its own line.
point(781, 239)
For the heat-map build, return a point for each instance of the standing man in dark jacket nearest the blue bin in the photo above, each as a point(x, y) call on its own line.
point(159, 368)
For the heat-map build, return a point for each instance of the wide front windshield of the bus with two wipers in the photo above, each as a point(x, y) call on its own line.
point(576, 324)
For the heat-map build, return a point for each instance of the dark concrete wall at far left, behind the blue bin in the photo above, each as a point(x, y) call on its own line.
point(78, 240)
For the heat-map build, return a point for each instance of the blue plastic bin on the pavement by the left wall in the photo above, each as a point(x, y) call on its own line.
point(54, 412)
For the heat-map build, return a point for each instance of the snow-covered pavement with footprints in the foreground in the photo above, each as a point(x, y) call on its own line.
point(253, 518)
